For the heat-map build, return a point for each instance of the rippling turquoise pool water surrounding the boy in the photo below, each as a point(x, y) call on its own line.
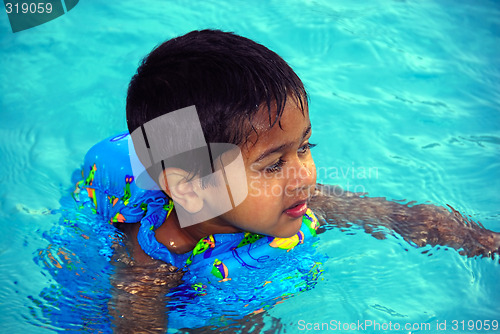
point(406, 89)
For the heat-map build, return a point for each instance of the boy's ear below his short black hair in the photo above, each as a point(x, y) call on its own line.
point(187, 193)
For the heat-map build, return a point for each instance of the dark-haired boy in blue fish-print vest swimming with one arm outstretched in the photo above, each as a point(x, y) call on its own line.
point(247, 97)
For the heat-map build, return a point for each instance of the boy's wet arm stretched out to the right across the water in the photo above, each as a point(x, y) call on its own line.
point(420, 224)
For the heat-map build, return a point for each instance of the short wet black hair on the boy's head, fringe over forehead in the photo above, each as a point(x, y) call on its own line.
point(227, 77)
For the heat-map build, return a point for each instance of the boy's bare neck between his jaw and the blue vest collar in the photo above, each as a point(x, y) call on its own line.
point(182, 240)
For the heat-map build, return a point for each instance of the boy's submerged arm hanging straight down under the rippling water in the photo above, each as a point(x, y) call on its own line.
point(141, 284)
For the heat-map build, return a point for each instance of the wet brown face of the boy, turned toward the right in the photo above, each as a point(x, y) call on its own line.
point(281, 176)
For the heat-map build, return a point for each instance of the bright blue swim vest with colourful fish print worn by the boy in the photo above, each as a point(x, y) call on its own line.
point(244, 268)
